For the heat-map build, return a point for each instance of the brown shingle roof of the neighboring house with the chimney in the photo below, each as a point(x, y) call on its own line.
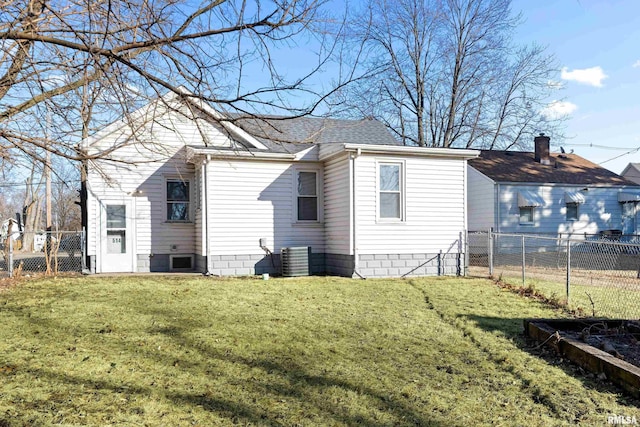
point(521, 167)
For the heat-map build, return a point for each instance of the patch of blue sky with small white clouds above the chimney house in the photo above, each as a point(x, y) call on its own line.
point(596, 44)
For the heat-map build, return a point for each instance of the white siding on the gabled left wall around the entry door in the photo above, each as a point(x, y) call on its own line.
point(158, 155)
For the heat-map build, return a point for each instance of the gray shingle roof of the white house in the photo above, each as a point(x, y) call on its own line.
point(291, 135)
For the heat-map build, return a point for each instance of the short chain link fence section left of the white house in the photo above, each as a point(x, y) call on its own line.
point(43, 252)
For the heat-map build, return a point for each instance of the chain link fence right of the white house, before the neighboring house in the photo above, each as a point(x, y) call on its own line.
point(596, 275)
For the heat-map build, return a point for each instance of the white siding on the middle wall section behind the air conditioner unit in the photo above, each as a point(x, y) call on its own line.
point(250, 200)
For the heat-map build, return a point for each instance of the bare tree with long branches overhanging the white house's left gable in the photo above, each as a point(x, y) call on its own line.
point(69, 67)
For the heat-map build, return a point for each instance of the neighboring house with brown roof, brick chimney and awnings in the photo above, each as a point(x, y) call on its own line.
point(549, 193)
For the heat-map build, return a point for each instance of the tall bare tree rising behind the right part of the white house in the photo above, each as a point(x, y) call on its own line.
point(453, 76)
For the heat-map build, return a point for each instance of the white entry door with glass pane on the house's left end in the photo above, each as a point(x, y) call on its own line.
point(116, 237)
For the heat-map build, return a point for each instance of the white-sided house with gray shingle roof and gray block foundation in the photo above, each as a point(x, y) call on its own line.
point(188, 192)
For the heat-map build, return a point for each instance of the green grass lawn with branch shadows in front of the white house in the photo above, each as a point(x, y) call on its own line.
point(312, 351)
